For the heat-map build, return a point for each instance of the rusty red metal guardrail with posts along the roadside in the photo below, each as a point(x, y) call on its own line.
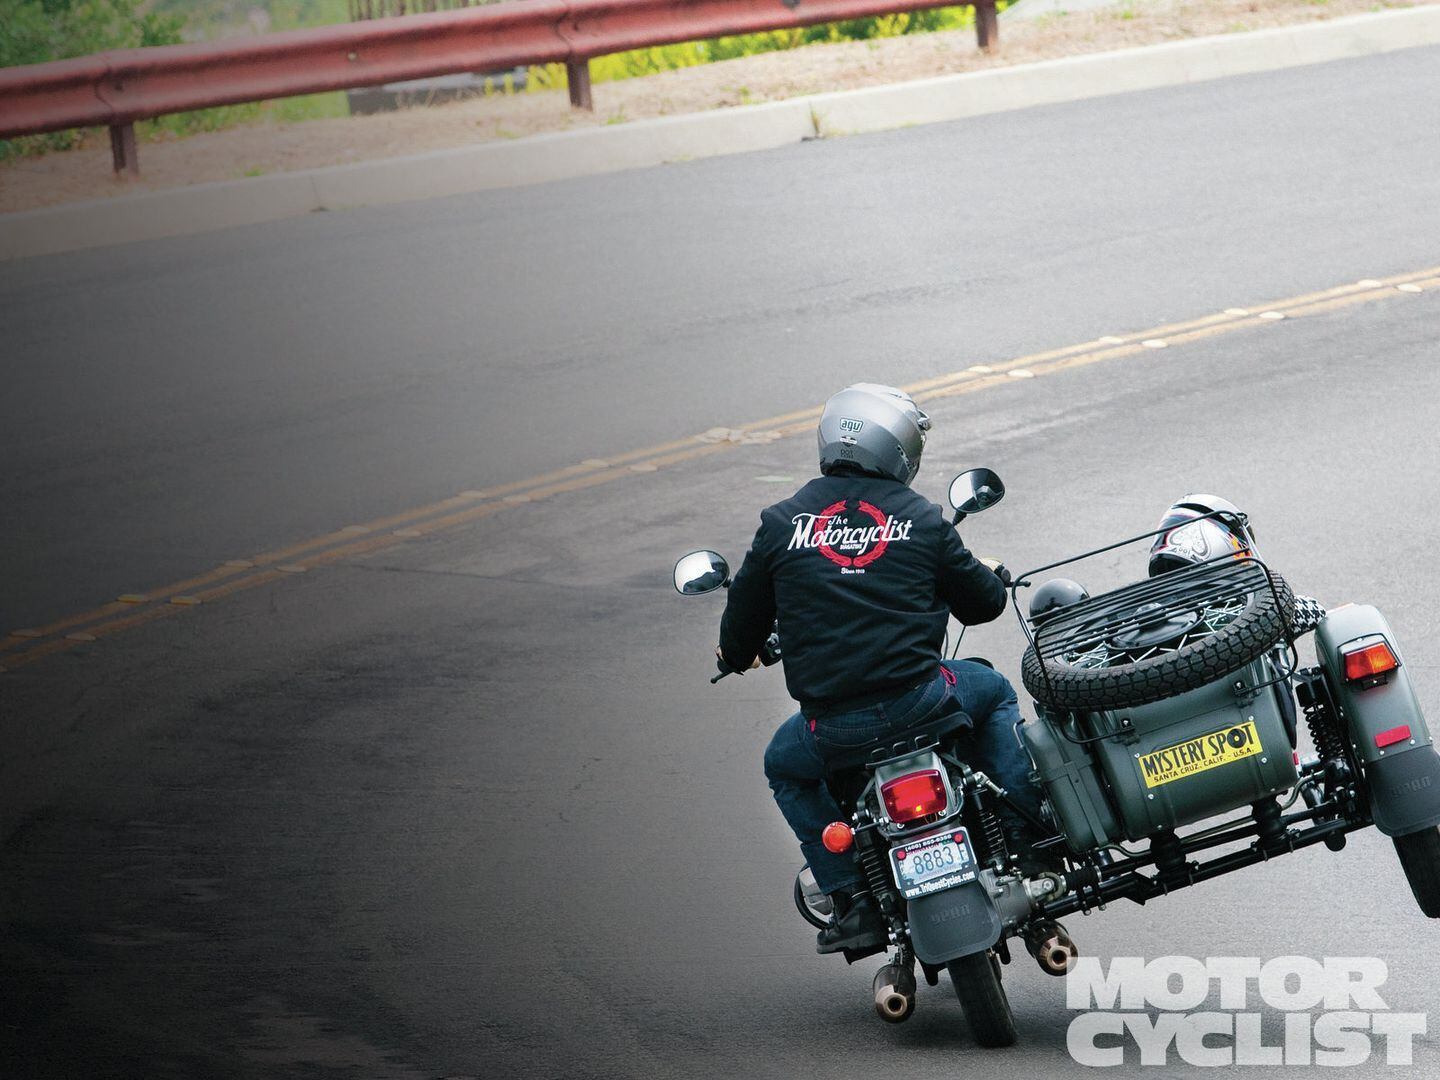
point(117, 89)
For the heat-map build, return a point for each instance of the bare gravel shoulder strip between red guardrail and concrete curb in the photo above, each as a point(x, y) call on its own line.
point(261, 149)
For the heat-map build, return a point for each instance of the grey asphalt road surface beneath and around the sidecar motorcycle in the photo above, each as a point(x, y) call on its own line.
point(466, 806)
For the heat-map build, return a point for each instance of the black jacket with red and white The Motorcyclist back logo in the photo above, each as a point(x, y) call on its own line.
point(863, 575)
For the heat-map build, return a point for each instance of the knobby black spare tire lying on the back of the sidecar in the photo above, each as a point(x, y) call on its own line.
point(1194, 665)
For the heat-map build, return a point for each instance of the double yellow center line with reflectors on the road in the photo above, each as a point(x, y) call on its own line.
point(27, 646)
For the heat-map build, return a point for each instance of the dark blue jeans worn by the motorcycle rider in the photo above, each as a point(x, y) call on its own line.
point(796, 758)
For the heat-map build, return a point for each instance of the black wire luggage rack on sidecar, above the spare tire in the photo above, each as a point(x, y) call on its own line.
point(1082, 627)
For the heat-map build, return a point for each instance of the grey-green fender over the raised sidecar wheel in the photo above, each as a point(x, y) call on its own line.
point(1403, 777)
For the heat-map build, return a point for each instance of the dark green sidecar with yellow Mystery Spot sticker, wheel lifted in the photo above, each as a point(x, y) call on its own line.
point(1177, 701)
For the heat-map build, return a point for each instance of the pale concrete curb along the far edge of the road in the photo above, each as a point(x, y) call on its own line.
point(231, 204)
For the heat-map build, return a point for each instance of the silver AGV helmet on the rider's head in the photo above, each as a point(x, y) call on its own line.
point(875, 428)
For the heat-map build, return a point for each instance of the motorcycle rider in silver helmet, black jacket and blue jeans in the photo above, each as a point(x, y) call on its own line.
point(863, 575)
